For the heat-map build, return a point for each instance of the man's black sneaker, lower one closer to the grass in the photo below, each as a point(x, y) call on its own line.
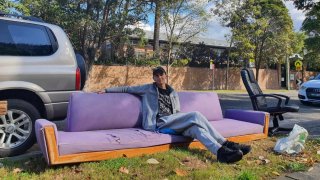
point(226, 155)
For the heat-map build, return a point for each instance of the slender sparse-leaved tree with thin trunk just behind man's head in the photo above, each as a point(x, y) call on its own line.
point(182, 20)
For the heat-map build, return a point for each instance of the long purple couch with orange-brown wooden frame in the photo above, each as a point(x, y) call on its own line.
point(103, 126)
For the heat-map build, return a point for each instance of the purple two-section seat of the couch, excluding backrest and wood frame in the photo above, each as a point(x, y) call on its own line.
point(113, 139)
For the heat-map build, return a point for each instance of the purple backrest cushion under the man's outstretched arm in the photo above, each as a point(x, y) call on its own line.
point(92, 111)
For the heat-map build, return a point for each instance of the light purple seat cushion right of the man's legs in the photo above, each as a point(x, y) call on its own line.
point(230, 127)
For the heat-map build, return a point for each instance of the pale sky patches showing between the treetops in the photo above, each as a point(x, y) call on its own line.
point(216, 31)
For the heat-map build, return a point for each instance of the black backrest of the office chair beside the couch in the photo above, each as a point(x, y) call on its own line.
point(253, 88)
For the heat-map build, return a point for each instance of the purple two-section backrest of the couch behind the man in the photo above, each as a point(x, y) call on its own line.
point(91, 111)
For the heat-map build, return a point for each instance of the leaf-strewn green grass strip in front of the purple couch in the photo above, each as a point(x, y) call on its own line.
point(178, 163)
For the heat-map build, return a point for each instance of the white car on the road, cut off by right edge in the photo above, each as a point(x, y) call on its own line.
point(309, 91)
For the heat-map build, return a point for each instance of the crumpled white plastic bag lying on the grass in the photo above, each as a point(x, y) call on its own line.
point(294, 143)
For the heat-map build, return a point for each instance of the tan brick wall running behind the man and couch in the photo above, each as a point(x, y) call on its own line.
point(182, 78)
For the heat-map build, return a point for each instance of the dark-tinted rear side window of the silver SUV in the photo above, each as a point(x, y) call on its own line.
point(23, 39)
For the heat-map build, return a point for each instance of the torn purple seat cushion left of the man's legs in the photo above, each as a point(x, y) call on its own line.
point(103, 140)
